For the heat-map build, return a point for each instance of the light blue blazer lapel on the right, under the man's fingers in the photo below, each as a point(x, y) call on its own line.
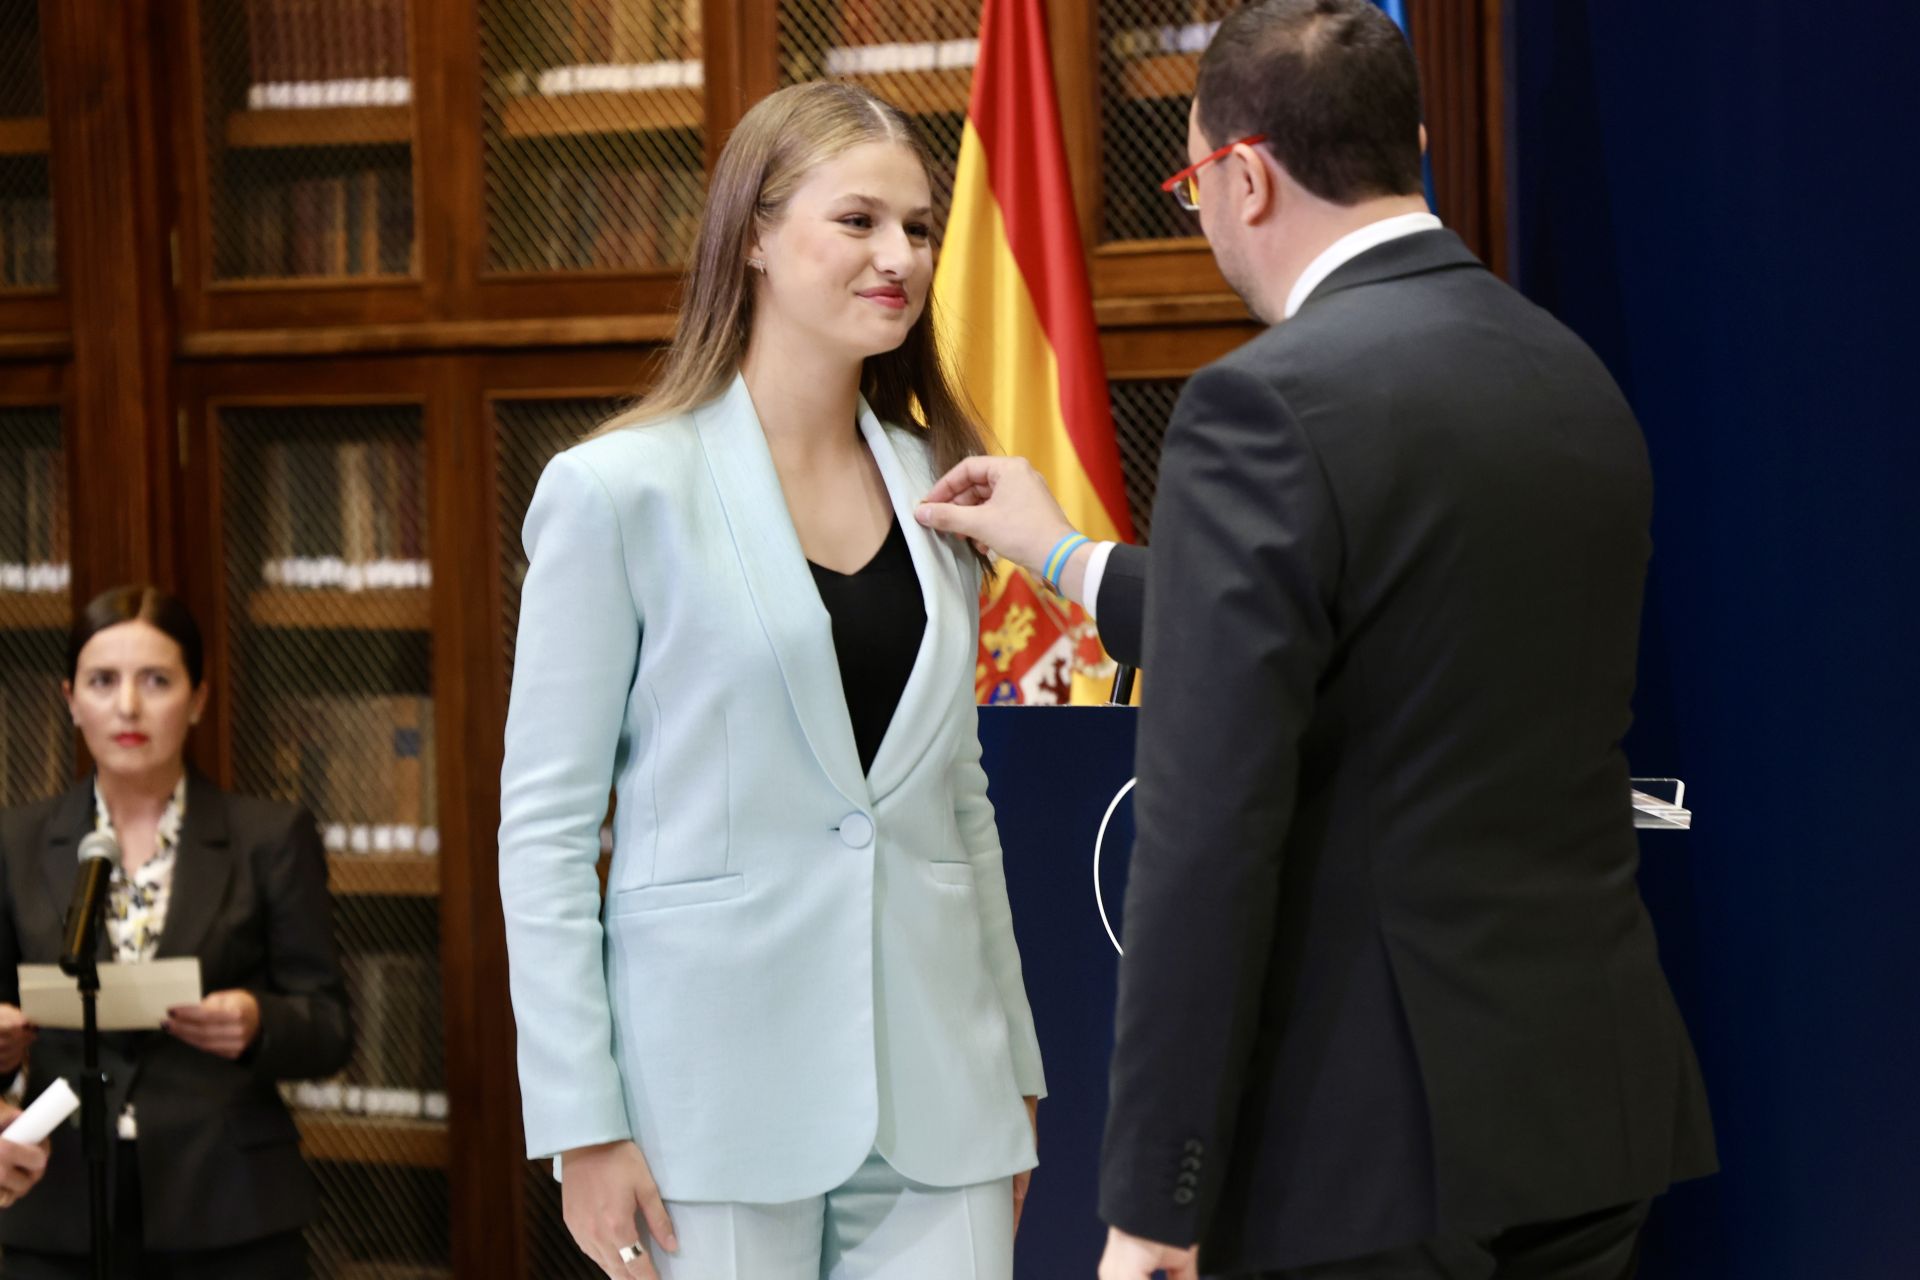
point(930, 688)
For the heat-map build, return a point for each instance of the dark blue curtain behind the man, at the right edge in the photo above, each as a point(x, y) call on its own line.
point(1721, 201)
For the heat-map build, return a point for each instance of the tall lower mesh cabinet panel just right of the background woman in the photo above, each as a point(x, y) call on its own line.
point(329, 667)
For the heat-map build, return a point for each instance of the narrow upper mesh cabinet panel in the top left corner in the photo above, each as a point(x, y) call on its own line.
point(28, 262)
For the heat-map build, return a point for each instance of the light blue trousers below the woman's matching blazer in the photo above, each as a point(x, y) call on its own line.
point(875, 1227)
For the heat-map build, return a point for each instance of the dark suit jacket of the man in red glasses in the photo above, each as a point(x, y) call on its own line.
point(1387, 968)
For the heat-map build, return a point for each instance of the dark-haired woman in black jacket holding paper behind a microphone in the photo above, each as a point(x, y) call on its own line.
point(206, 1172)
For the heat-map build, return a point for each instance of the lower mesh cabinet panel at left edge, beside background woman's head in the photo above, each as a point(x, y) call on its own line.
point(36, 730)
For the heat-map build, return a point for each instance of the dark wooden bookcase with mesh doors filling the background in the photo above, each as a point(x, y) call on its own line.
point(322, 287)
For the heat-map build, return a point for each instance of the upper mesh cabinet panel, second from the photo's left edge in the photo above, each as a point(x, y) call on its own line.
point(310, 130)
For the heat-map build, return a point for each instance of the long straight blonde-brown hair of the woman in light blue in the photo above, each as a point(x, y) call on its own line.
point(773, 151)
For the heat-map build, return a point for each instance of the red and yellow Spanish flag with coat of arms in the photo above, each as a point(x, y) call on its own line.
point(1020, 337)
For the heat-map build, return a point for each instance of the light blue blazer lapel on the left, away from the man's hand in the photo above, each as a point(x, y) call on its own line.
point(784, 596)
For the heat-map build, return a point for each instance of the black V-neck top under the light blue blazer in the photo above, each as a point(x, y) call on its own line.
point(878, 621)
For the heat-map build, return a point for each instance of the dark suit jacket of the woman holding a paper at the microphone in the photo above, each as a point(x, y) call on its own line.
point(220, 1154)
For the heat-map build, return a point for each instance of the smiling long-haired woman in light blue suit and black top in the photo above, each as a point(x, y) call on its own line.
point(796, 1043)
